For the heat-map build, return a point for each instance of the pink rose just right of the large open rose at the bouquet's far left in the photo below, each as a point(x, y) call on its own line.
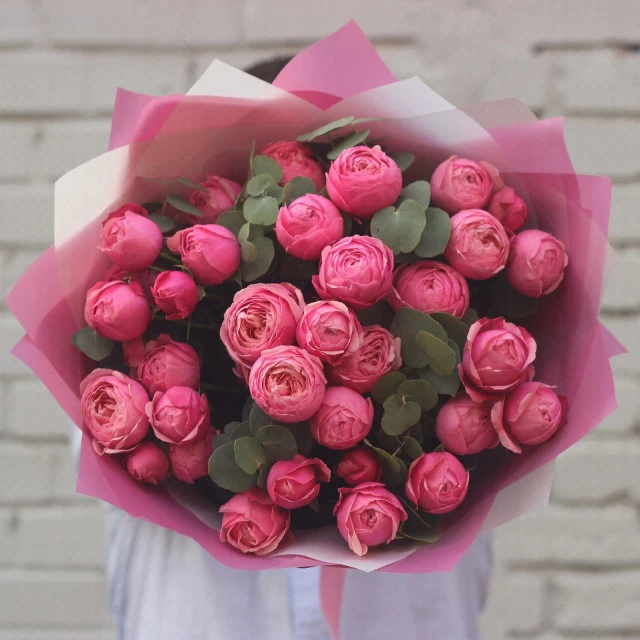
point(179, 415)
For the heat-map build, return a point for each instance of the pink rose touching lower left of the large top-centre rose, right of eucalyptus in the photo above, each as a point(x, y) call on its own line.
point(306, 226)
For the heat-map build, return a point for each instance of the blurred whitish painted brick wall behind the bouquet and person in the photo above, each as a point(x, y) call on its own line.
point(569, 571)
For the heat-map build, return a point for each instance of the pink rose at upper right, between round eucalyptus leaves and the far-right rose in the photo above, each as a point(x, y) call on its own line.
point(478, 246)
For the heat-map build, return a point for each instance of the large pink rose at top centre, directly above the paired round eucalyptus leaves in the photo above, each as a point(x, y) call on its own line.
point(363, 180)
